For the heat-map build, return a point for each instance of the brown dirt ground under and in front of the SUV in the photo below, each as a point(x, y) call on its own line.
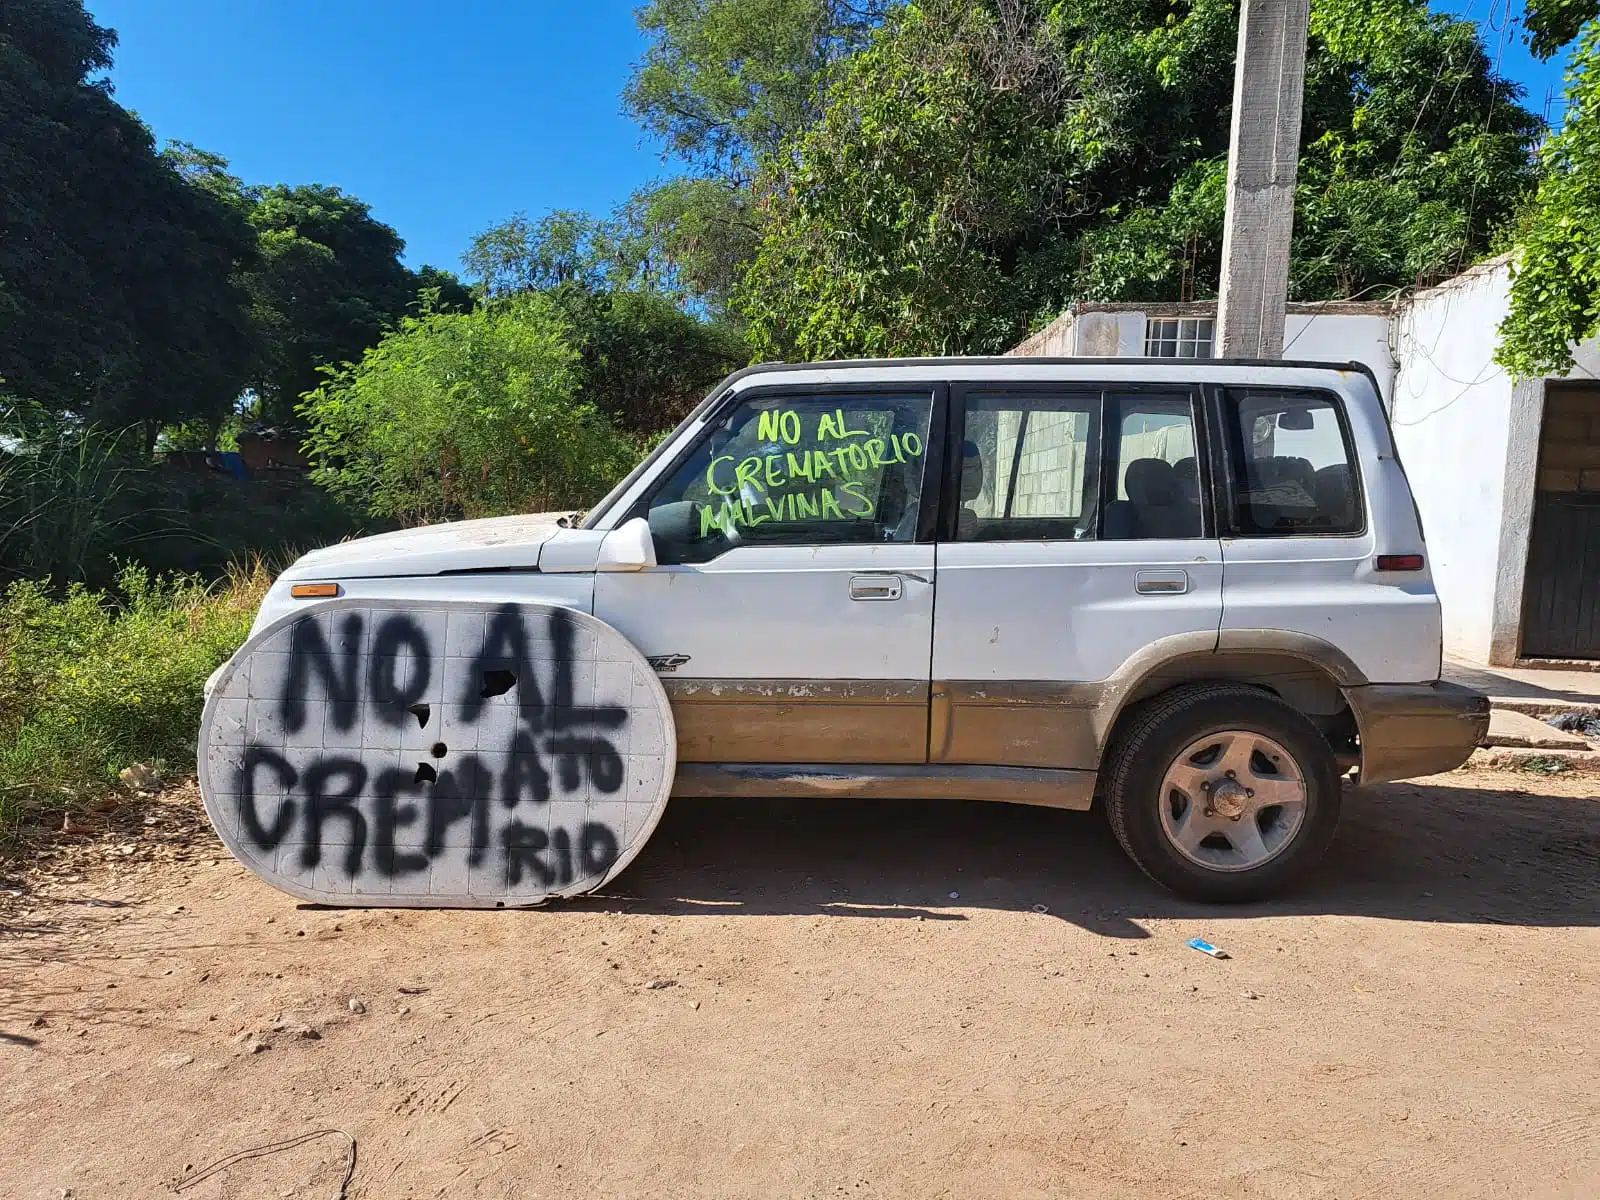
point(826, 1001)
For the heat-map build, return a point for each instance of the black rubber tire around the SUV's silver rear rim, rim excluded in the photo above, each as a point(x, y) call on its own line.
point(1150, 743)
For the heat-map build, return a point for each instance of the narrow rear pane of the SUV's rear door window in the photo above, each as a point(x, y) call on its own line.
point(1158, 482)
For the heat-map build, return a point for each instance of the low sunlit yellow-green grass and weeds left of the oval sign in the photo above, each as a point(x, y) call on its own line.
point(97, 681)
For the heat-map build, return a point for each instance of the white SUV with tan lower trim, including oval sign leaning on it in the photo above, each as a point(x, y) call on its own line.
point(1193, 590)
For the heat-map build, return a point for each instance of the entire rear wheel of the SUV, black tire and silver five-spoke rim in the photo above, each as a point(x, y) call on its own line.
point(1223, 793)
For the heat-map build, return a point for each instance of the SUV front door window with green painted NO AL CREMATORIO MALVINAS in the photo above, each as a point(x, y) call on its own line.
point(798, 470)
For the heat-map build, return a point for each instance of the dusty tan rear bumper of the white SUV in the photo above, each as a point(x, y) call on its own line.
point(1417, 729)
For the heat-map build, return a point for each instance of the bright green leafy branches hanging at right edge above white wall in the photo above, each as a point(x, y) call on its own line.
point(1556, 287)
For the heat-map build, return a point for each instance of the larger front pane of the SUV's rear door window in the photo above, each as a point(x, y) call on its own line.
point(1030, 468)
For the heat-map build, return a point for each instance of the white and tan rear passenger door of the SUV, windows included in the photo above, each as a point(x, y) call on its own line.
point(1078, 535)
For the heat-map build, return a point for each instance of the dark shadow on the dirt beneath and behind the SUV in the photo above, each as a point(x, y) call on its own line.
point(1406, 852)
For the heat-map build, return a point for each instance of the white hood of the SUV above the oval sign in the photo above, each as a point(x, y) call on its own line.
point(494, 543)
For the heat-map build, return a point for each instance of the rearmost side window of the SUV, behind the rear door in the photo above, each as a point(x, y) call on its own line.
point(1292, 465)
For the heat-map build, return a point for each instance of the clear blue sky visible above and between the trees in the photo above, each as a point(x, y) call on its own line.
point(446, 118)
